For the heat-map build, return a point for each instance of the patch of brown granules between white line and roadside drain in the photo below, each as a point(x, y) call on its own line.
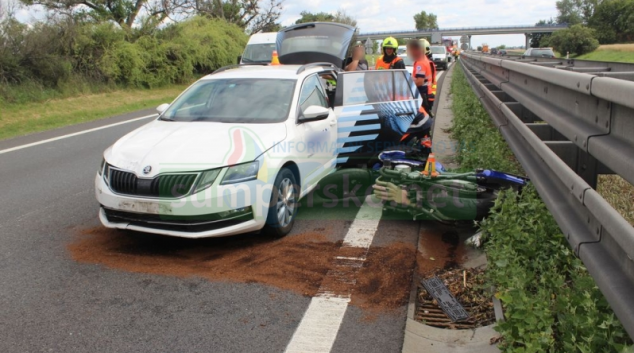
point(385, 281)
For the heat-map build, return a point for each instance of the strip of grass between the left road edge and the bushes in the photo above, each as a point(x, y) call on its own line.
point(26, 118)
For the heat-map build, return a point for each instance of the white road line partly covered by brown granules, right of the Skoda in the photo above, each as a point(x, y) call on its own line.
point(320, 324)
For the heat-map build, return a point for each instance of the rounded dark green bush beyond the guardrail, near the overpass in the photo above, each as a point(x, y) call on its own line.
point(577, 40)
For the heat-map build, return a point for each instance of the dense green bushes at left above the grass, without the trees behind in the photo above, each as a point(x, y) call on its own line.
point(64, 58)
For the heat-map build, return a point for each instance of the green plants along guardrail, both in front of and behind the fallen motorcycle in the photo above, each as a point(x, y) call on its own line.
point(551, 303)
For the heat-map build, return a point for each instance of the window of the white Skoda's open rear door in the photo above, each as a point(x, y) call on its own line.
point(368, 87)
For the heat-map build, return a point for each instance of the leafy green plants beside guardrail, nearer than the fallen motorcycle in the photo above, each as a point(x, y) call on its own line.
point(551, 302)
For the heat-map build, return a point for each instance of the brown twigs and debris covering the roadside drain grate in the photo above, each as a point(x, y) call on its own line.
point(469, 288)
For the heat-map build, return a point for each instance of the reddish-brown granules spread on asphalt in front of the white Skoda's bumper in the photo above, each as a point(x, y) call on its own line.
point(296, 263)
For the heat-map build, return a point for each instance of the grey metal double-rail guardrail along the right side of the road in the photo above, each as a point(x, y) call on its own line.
point(565, 128)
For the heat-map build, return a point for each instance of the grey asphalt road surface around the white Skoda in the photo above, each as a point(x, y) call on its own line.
point(52, 302)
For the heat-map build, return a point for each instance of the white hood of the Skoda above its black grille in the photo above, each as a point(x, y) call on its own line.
point(191, 146)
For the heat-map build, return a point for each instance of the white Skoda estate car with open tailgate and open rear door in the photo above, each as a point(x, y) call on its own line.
point(236, 151)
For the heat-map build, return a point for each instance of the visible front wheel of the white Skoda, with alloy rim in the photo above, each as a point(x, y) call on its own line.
point(283, 204)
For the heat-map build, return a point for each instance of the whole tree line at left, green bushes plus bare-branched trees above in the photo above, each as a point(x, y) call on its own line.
point(86, 46)
